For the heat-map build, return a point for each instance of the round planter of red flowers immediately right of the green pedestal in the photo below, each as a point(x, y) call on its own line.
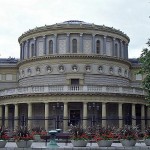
point(79, 137)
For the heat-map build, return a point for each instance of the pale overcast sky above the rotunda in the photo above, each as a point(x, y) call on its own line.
point(18, 16)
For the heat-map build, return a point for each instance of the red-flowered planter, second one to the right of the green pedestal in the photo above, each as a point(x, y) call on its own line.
point(104, 136)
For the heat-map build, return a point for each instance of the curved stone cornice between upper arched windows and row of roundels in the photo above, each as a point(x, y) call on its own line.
point(76, 56)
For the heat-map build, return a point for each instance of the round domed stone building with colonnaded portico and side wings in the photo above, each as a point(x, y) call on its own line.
point(72, 73)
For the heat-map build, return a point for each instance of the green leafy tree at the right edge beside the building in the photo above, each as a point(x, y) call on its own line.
point(145, 70)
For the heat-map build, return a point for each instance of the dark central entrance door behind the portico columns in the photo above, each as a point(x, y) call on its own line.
point(74, 117)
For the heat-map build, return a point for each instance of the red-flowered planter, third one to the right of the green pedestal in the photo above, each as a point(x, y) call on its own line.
point(128, 135)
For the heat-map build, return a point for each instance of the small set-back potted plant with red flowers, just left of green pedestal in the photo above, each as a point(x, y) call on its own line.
point(37, 132)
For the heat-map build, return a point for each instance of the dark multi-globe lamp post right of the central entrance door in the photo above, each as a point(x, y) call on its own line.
point(93, 107)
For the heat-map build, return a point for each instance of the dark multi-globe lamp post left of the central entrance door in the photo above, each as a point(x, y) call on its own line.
point(58, 107)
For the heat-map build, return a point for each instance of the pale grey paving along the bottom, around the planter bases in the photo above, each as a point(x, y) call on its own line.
point(63, 146)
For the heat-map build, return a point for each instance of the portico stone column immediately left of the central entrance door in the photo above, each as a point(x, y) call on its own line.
point(65, 121)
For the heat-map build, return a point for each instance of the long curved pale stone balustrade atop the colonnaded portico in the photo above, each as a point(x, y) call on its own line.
point(51, 88)
